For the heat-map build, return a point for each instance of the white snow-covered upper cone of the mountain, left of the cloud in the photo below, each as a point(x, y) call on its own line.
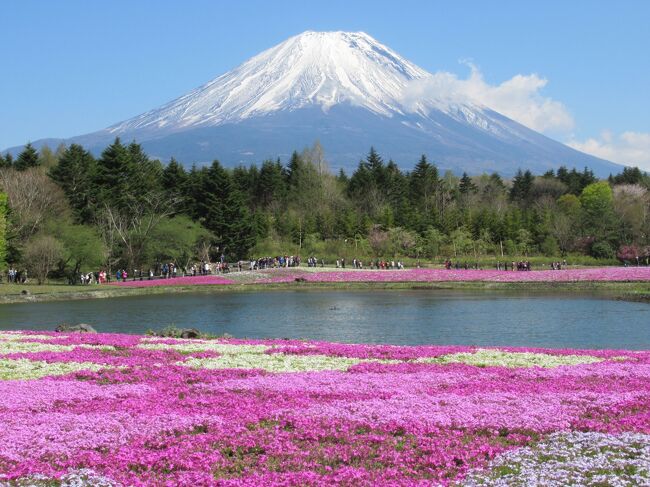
point(312, 68)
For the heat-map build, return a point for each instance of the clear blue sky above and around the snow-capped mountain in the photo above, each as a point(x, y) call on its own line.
point(77, 66)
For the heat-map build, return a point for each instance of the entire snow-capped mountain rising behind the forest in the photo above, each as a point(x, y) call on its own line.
point(348, 91)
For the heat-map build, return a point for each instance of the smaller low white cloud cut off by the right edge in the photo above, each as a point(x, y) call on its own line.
point(629, 148)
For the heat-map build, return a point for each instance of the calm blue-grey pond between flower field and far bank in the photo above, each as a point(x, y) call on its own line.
point(408, 317)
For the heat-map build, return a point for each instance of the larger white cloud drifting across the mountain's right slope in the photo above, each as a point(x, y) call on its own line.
point(518, 98)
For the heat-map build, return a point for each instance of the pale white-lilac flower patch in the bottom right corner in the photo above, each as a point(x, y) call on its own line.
point(589, 459)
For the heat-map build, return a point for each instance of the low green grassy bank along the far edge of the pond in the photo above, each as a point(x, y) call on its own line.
point(11, 293)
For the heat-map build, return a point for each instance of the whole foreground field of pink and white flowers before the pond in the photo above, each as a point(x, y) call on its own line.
point(102, 409)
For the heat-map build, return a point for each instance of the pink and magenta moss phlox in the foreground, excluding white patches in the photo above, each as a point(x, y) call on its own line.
point(145, 419)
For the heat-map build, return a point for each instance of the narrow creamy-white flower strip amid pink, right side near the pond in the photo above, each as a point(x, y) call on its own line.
point(499, 358)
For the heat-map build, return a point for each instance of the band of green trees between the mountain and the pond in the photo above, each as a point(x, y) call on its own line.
point(66, 211)
